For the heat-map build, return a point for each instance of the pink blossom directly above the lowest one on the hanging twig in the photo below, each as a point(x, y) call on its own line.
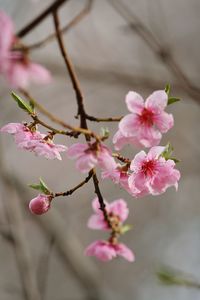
point(117, 211)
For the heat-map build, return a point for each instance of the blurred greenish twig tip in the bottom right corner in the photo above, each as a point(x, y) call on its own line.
point(170, 276)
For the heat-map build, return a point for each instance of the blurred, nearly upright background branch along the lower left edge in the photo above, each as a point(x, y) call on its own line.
point(18, 236)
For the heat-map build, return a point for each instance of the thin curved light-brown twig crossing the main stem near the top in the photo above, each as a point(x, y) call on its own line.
point(78, 18)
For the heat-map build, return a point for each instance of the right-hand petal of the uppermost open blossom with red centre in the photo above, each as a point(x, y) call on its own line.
point(164, 121)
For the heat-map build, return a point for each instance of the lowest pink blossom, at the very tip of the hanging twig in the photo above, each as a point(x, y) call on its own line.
point(106, 251)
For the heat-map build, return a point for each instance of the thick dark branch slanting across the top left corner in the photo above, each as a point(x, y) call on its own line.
point(24, 31)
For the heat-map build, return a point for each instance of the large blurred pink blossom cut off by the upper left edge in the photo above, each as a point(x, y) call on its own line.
point(14, 61)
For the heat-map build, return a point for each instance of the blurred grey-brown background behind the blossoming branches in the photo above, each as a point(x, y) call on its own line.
point(118, 46)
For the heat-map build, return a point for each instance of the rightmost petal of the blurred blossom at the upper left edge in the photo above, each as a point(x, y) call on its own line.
point(38, 74)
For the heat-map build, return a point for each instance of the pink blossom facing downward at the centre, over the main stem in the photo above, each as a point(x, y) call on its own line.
point(89, 155)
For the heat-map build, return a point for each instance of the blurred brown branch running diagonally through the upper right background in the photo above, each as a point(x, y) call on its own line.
point(161, 51)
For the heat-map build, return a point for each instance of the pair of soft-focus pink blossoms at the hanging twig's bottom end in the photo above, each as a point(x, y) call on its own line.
point(106, 250)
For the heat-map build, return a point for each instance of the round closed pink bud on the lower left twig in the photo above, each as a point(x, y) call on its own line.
point(40, 204)
